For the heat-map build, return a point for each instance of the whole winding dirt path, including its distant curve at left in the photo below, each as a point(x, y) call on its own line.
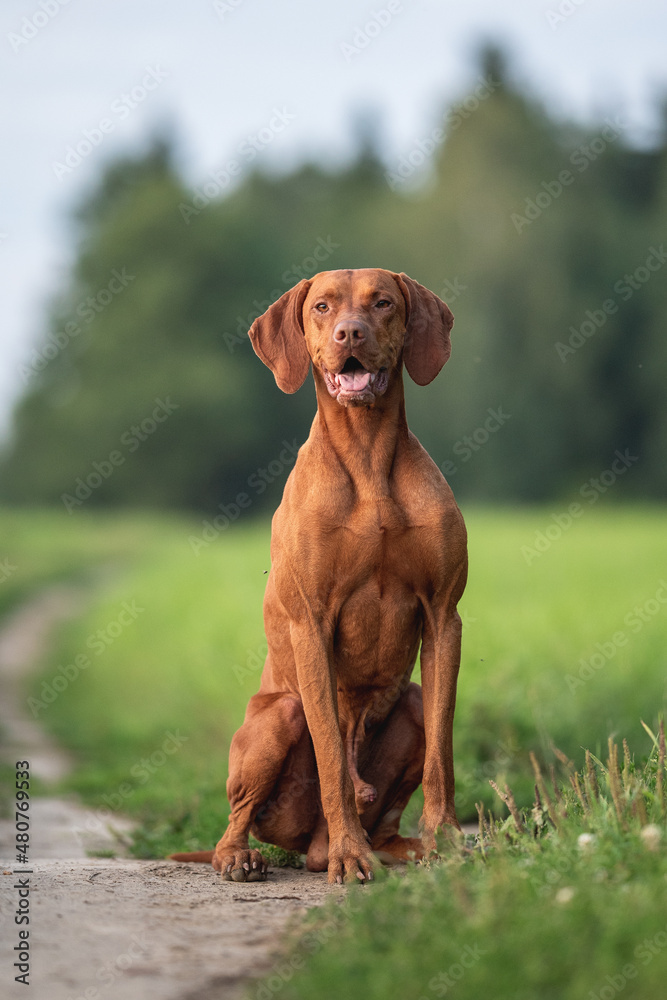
point(119, 928)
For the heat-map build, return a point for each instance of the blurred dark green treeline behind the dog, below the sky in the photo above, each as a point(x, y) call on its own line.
point(545, 240)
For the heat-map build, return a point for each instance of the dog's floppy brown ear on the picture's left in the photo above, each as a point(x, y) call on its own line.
point(278, 338)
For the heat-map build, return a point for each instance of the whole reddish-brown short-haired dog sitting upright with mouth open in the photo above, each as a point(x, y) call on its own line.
point(369, 560)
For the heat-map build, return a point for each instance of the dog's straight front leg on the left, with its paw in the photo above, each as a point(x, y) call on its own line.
point(349, 855)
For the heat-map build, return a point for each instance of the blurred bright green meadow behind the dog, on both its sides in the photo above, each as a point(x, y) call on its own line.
point(190, 658)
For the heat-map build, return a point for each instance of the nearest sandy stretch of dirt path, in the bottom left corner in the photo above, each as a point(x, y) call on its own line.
point(147, 930)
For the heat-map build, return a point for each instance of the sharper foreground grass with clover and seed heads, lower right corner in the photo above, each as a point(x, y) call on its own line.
point(546, 914)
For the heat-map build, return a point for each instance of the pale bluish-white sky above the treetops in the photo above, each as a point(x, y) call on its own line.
point(287, 80)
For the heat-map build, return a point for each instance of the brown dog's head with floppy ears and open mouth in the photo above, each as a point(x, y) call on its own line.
point(356, 327)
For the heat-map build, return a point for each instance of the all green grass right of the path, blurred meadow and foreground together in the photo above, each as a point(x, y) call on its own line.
point(150, 717)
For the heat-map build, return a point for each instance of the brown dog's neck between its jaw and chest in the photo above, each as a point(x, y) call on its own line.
point(364, 438)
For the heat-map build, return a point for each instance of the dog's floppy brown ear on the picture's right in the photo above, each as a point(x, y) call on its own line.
point(427, 324)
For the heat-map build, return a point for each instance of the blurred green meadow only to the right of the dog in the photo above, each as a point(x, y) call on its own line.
point(530, 626)
